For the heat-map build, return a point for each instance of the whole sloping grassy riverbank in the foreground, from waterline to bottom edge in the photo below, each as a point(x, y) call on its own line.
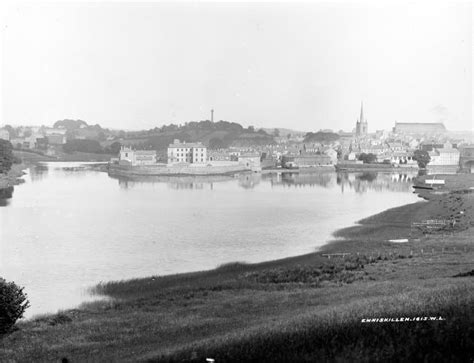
point(295, 309)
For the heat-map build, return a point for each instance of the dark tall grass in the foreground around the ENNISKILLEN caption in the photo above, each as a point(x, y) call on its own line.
point(338, 334)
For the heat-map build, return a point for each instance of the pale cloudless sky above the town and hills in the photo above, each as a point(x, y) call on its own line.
point(305, 66)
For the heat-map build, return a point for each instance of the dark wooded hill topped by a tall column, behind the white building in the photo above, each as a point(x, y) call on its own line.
point(214, 135)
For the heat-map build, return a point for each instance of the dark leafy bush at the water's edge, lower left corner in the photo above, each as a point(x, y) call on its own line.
point(13, 304)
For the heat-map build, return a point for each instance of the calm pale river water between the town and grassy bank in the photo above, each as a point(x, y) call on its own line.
point(69, 227)
